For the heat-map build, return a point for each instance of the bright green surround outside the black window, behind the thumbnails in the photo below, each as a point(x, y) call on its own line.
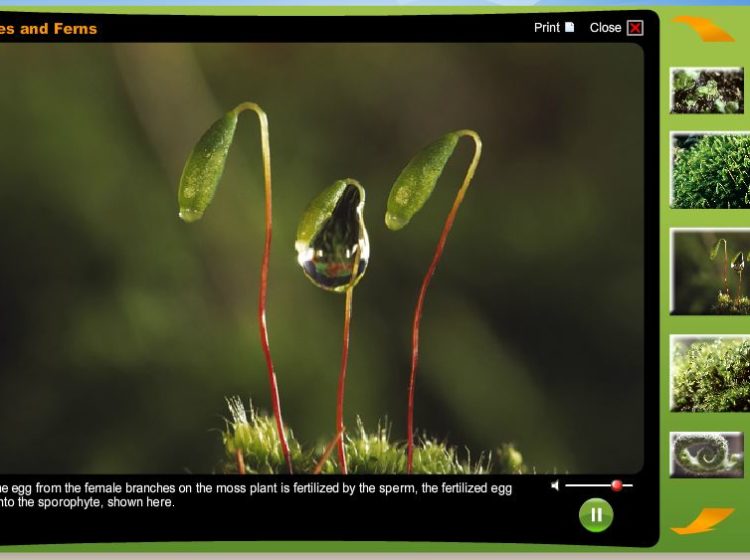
point(681, 500)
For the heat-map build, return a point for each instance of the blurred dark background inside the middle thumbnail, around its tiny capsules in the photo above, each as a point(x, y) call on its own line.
point(696, 279)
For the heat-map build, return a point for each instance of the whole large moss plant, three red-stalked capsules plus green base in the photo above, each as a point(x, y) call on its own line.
point(333, 250)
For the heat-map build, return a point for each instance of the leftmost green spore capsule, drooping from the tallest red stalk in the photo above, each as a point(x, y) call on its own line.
point(204, 168)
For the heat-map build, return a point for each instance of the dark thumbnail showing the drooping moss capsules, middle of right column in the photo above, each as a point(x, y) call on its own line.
point(708, 271)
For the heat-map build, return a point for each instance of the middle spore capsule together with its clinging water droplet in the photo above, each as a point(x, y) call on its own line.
point(332, 241)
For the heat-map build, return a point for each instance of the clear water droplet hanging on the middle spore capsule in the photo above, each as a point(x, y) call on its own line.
point(339, 246)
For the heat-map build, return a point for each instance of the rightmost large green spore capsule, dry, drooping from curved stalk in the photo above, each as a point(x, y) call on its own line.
point(417, 180)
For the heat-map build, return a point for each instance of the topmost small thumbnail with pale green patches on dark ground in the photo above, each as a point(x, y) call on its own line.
point(708, 90)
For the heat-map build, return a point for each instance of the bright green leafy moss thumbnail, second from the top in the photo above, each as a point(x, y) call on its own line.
point(711, 170)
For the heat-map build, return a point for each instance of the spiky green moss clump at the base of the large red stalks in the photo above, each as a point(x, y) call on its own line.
point(254, 435)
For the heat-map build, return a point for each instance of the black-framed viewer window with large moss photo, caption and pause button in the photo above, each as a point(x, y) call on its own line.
point(148, 357)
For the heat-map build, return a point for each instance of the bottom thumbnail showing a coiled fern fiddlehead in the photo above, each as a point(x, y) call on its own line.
point(707, 455)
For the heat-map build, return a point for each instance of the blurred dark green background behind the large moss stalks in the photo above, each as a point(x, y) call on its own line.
point(122, 329)
